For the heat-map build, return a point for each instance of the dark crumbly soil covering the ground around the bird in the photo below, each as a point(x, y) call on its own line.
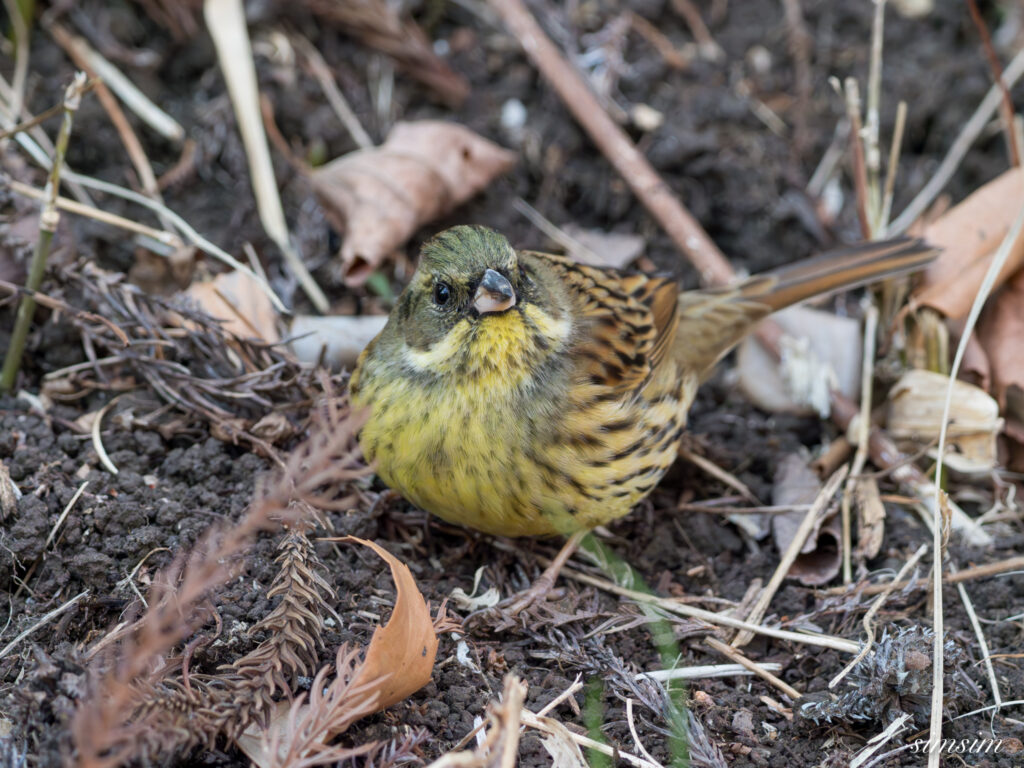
point(743, 182)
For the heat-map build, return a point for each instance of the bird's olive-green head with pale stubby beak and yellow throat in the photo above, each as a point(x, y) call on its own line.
point(476, 305)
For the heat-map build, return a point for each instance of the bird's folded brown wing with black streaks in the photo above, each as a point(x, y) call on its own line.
point(626, 324)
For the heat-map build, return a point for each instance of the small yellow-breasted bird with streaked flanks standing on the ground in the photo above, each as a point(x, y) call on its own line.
point(522, 394)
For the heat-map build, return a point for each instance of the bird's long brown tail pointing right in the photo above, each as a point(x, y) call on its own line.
point(713, 321)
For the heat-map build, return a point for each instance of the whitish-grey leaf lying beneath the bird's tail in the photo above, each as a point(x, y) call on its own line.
point(833, 348)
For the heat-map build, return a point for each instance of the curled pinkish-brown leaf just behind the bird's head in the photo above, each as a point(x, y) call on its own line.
point(378, 198)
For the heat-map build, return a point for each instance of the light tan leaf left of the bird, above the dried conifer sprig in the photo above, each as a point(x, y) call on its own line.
point(238, 301)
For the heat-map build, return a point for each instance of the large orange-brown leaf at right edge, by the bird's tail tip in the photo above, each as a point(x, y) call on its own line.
point(969, 235)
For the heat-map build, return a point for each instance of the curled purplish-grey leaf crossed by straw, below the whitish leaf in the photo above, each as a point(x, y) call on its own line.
point(820, 560)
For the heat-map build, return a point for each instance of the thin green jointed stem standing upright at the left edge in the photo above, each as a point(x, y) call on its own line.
point(50, 218)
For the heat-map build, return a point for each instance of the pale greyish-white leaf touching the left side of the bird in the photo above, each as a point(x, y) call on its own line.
point(337, 340)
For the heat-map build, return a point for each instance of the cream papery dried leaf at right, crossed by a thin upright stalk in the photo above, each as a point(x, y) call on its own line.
point(916, 407)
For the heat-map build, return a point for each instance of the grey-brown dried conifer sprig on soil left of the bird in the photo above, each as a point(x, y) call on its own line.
point(246, 391)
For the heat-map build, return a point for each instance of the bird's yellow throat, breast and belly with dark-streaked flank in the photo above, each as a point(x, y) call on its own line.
point(509, 443)
